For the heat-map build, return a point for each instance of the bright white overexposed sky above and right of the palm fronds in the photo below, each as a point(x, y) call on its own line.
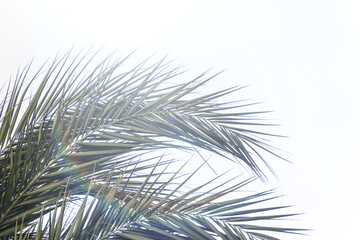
point(302, 58)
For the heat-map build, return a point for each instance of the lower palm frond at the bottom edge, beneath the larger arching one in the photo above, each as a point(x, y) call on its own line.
point(153, 212)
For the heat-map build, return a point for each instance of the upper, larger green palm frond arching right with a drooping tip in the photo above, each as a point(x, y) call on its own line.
point(83, 122)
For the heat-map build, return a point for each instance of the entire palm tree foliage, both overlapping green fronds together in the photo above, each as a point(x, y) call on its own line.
point(80, 156)
